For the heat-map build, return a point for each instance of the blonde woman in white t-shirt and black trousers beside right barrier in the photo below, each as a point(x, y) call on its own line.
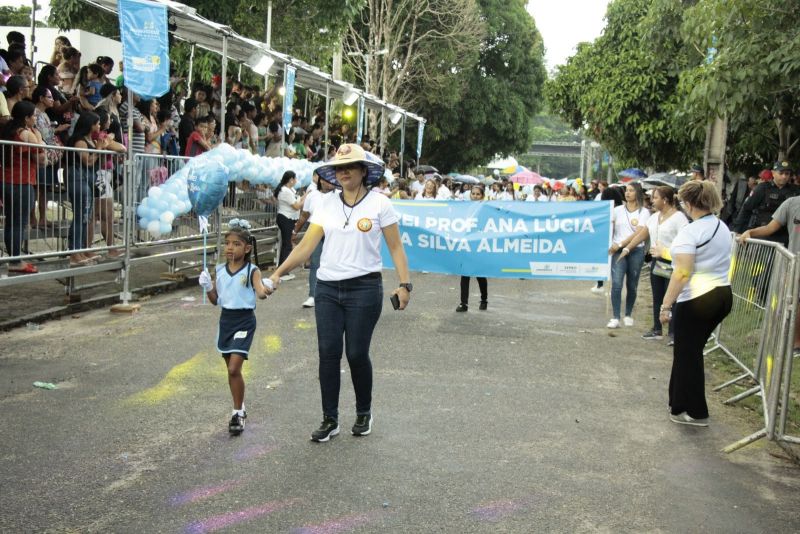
point(701, 293)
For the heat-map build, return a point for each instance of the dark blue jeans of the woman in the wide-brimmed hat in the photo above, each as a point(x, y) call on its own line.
point(347, 312)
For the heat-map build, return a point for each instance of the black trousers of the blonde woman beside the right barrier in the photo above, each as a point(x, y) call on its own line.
point(695, 320)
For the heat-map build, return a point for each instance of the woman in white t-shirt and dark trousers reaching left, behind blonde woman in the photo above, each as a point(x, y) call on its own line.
point(661, 229)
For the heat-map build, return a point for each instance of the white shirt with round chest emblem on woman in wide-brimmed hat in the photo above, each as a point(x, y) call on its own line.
point(352, 235)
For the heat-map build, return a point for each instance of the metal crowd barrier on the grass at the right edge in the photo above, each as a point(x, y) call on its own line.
point(759, 332)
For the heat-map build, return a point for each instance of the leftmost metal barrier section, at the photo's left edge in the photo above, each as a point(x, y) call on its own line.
point(62, 209)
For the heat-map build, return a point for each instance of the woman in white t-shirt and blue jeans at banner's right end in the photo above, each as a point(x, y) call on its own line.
point(626, 220)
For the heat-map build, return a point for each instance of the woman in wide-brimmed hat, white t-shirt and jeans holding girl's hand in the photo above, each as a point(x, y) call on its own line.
point(349, 292)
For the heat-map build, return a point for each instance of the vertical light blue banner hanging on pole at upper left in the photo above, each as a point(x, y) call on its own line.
point(145, 47)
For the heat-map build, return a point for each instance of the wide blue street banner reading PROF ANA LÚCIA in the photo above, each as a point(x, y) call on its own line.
point(506, 239)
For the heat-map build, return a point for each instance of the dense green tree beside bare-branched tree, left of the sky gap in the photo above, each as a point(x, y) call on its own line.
point(501, 95)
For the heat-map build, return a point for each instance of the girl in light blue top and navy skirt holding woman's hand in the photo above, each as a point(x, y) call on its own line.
point(238, 283)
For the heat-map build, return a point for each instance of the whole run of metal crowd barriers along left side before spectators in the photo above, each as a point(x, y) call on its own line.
point(72, 212)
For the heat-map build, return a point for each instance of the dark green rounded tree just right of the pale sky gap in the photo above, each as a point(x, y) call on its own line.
point(623, 87)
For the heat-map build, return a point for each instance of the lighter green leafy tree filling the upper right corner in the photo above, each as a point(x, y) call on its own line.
point(753, 78)
